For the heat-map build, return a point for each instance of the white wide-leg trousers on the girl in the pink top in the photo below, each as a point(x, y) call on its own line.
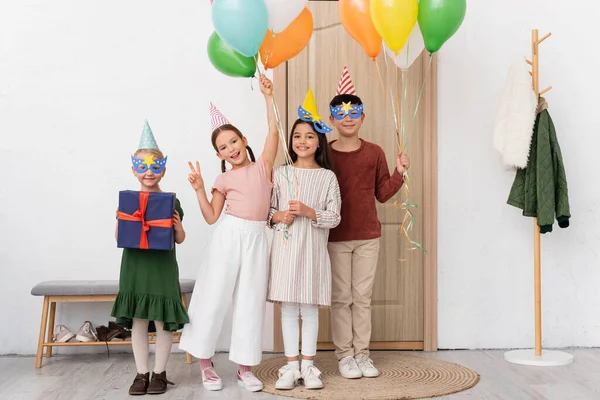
point(235, 270)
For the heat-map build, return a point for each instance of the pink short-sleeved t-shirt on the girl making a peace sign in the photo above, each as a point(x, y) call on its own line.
point(247, 191)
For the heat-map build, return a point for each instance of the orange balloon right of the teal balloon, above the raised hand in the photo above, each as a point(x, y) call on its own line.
point(278, 48)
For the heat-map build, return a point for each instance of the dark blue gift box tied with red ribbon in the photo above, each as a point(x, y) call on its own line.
point(146, 220)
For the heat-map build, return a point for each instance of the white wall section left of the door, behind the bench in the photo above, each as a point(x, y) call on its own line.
point(77, 80)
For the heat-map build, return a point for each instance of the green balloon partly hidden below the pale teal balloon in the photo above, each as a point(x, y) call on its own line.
point(227, 60)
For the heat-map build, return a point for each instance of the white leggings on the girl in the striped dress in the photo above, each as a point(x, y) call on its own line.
point(291, 330)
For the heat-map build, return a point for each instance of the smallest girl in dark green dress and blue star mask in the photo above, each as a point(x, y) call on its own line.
point(149, 296)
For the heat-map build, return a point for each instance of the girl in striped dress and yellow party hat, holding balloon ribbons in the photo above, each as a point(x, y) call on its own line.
point(300, 276)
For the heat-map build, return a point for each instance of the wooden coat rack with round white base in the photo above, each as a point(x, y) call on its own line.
point(537, 356)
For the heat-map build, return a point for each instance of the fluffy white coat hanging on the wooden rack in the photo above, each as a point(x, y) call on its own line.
point(516, 117)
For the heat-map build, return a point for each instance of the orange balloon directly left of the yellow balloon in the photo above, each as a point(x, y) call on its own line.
point(356, 19)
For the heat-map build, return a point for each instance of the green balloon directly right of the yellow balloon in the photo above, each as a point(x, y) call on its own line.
point(439, 20)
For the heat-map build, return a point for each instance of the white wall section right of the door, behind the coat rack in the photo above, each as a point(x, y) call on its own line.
point(486, 270)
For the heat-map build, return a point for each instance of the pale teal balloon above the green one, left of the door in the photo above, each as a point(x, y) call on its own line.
point(242, 24)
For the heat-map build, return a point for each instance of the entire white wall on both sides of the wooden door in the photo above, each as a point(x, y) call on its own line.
point(77, 80)
